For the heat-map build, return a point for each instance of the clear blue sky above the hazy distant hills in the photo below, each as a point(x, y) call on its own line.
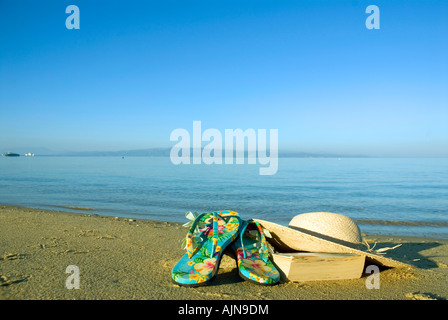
point(137, 70)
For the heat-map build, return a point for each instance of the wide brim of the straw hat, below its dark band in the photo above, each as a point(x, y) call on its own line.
point(288, 239)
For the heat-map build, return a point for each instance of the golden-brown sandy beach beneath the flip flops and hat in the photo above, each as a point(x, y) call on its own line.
point(127, 259)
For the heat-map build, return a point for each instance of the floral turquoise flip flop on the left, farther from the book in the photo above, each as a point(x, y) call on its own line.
point(209, 235)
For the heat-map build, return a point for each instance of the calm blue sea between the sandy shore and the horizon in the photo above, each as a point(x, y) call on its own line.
point(413, 193)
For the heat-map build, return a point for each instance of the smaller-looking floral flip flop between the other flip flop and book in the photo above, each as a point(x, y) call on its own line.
point(252, 254)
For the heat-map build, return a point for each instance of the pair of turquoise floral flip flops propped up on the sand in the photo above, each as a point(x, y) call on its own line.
point(209, 235)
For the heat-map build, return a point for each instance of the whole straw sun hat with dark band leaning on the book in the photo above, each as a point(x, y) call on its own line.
point(323, 232)
